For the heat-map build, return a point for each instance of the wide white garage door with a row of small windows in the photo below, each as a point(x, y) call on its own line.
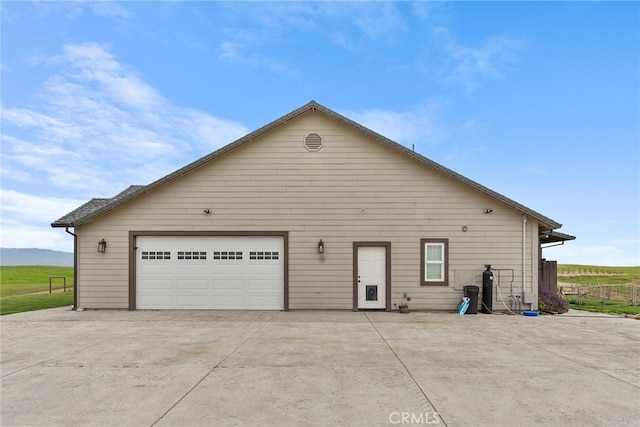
point(178, 272)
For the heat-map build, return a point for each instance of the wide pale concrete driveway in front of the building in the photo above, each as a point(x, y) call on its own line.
point(308, 368)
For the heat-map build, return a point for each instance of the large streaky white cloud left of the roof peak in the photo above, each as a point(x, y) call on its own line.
point(101, 127)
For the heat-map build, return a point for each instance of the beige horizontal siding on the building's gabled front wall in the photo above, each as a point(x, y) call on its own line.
point(353, 189)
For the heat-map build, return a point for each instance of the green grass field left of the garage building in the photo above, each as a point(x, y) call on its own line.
point(18, 284)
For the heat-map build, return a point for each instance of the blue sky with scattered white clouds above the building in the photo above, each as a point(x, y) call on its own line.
point(538, 101)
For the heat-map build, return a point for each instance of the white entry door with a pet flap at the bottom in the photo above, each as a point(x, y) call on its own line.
point(372, 277)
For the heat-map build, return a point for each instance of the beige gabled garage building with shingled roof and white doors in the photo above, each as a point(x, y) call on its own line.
point(312, 211)
